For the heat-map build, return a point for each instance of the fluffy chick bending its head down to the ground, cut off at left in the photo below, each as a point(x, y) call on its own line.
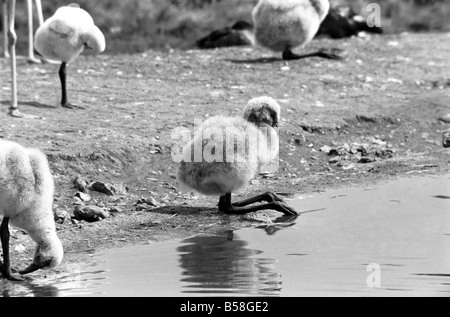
point(26, 198)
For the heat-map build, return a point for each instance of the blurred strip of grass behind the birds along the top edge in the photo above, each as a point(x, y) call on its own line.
point(137, 25)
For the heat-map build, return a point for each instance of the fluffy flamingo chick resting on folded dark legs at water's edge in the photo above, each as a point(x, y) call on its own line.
point(226, 153)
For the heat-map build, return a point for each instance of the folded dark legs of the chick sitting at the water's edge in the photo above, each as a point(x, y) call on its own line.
point(228, 208)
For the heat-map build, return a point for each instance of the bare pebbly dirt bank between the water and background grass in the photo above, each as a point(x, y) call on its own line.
point(383, 101)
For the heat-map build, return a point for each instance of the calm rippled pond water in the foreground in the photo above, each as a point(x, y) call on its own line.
point(389, 240)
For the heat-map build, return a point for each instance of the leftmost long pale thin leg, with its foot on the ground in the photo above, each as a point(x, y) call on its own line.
point(12, 39)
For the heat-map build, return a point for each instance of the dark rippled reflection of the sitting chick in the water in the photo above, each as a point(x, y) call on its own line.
point(223, 264)
